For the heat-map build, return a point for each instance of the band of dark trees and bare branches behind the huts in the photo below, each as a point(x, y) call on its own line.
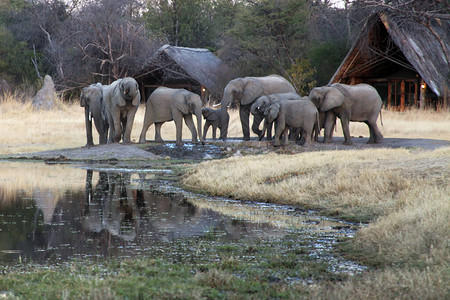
point(84, 41)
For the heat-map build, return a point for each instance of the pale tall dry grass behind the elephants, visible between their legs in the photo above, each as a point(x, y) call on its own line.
point(23, 129)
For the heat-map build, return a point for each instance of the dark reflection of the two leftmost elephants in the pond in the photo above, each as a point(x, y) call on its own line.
point(111, 206)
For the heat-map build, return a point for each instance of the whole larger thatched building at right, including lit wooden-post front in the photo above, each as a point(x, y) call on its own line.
point(408, 62)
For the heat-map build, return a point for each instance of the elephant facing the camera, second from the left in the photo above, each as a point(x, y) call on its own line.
point(122, 99)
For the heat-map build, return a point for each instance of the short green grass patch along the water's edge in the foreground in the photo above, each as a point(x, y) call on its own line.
point(185, 269)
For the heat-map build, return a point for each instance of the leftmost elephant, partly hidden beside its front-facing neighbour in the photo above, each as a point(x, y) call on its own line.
point(91, 98)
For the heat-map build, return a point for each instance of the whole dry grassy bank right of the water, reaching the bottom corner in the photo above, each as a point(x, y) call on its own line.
point(405, 194)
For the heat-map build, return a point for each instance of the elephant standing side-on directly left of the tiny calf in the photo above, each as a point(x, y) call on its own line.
point(167, 104)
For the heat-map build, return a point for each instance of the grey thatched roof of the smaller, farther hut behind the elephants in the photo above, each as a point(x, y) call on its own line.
point(180, 63)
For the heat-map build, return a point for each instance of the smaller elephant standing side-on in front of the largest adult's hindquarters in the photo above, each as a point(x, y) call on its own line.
point(301, 114)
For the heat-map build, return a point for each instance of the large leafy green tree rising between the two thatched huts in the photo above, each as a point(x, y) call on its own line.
point(270, 35)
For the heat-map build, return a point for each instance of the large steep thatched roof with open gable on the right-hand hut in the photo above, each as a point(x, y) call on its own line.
point(421, 51)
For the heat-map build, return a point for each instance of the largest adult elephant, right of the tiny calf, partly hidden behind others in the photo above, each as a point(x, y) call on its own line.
point(244, 91)
